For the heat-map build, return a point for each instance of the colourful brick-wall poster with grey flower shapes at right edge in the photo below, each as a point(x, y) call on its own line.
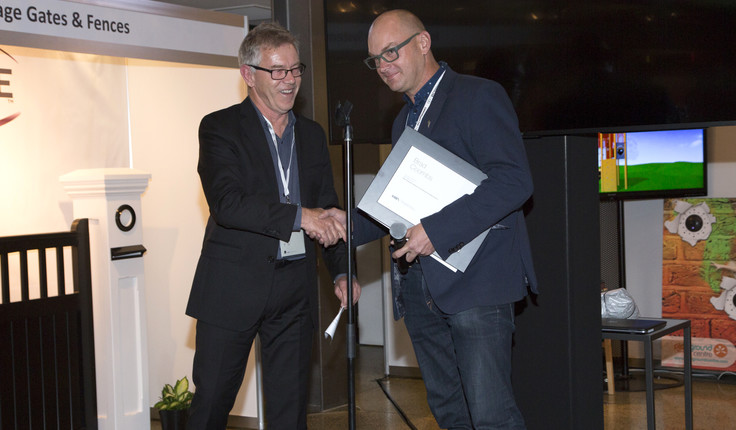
point(699, 280)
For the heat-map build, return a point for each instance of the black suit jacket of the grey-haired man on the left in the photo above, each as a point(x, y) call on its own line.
point(247, 220)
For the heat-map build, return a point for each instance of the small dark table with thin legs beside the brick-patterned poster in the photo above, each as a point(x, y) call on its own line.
point(671, 326)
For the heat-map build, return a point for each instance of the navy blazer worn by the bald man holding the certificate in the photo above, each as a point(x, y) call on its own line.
point(474, 119)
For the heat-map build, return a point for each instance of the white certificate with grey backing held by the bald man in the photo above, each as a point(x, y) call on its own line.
point(419, 178)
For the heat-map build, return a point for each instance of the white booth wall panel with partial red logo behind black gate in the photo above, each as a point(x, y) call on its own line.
point(73, 115)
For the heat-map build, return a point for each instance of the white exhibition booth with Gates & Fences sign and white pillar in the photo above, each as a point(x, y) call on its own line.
point(100, 107)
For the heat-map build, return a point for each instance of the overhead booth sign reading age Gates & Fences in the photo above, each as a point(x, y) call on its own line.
point(114, 24)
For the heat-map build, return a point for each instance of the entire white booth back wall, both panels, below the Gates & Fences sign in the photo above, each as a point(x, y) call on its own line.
point(82, 111)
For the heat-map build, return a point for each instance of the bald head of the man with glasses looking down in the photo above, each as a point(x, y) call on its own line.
point(415, 65)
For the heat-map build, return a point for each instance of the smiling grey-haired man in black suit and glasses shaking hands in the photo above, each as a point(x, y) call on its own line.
point(267, 178)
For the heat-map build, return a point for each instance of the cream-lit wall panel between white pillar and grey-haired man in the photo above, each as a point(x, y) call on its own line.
point(167, 102)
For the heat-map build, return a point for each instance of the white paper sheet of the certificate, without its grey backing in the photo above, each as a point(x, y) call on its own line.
point(422, 186)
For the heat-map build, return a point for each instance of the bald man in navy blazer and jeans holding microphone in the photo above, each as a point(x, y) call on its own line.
point(460, 323)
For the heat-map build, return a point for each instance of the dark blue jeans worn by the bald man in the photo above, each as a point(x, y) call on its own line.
point(465, 359)
